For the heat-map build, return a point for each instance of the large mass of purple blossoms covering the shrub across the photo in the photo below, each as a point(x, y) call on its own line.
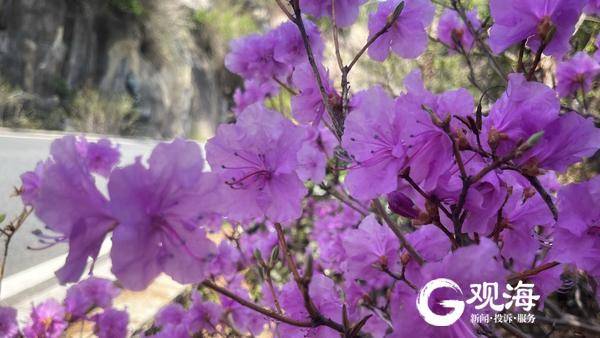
point(476, 193)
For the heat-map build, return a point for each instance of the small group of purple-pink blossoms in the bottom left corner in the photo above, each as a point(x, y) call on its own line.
point(50, 318)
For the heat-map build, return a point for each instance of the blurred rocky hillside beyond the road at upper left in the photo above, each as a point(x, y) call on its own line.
point(110, 66)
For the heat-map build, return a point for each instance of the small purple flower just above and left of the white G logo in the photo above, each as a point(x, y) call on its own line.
point(371, 248)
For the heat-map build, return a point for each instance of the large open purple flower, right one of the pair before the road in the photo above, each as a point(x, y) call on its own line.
point(159, 210)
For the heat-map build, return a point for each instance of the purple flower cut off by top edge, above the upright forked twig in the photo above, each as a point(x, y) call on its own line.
point(346, 11)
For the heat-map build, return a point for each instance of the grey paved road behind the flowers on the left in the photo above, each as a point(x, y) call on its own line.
point(19, 152)
